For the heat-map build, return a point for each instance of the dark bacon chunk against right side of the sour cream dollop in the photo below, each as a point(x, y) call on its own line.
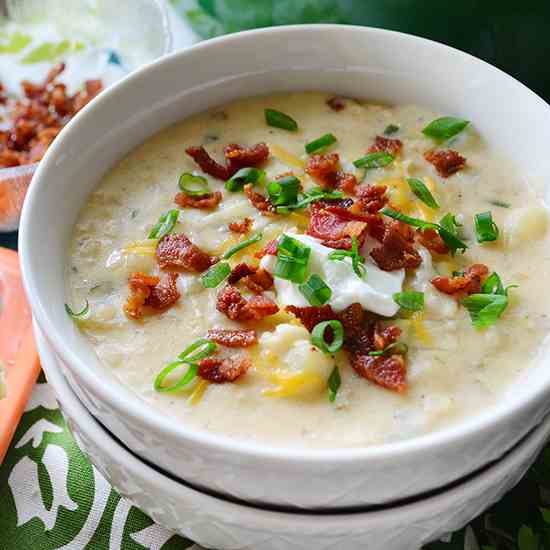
point(397, 251)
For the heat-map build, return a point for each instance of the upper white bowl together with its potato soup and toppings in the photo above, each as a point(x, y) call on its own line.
point(314, 276)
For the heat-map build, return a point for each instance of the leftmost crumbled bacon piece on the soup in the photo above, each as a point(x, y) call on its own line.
point(147, 291)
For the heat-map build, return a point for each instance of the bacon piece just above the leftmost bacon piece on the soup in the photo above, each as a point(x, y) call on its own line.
point(176, 252)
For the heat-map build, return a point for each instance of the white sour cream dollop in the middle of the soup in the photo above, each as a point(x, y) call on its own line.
point(374, 291)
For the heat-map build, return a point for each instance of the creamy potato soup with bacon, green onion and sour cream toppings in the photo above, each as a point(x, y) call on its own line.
point(314, 271)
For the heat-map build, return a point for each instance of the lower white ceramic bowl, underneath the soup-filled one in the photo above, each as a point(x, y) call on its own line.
point(221, 524)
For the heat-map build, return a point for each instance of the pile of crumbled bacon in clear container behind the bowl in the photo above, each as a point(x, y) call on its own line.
point(39, 117)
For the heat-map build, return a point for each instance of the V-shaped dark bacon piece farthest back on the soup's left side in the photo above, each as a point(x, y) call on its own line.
point(237, 157)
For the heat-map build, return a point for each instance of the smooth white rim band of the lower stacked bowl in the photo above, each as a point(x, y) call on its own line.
point(104, 439)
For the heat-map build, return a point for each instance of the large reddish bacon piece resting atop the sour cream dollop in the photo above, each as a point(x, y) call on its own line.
point(334, 223)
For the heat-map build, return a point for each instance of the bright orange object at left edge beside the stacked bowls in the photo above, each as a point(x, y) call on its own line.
point(17, 348)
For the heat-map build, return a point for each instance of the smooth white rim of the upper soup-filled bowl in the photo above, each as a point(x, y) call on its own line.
point(150, 417)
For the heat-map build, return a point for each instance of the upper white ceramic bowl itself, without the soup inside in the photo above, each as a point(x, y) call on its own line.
point(352, 61)
